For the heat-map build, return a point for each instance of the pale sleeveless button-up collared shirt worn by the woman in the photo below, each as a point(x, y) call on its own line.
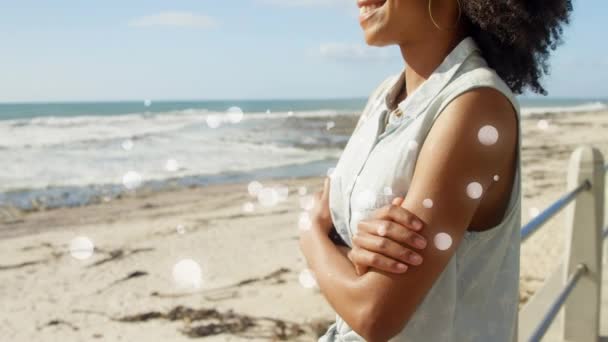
point(476, 296)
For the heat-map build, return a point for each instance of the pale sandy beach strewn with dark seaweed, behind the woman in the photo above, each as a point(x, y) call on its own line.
point(250, 261)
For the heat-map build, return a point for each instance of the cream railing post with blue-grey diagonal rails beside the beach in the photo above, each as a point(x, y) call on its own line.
point(575, 285)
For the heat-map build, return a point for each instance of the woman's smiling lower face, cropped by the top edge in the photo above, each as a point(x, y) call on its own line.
point(386, 22)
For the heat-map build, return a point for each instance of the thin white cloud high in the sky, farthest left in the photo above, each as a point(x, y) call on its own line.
point(174, 19)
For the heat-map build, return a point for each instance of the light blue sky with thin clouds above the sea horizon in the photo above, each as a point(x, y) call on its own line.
point(70, 50)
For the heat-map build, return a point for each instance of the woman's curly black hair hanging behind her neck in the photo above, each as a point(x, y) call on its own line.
point(517, 36)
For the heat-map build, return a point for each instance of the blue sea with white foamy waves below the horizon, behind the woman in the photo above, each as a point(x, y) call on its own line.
point(76, 153)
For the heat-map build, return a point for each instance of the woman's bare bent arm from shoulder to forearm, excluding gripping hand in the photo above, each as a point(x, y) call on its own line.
point(453, 169)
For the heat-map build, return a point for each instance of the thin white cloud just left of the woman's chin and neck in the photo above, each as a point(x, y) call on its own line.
point(354, 52)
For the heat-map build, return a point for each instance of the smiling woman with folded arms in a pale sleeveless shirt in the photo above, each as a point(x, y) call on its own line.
point(437, 143)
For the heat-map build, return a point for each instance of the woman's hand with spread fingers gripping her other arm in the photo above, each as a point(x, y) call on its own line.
point(381, 239)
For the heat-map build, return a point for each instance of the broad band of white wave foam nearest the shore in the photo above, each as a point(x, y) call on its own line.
point(83, 167)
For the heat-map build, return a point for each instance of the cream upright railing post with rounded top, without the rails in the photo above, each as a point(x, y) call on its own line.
point(584, 219)
